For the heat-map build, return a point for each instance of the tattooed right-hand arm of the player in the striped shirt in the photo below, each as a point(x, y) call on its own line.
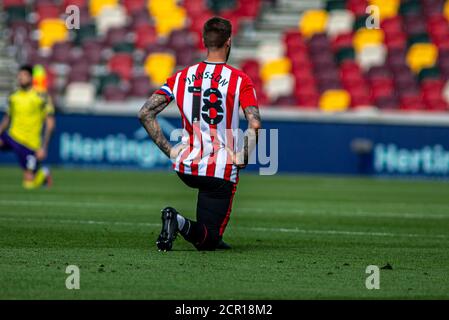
point(254, 124)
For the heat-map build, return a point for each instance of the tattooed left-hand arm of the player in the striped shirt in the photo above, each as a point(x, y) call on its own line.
point(147, 115)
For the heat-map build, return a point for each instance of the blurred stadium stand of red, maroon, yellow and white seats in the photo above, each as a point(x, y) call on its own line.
point(302, 54)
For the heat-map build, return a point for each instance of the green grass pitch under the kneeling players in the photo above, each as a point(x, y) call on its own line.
point(293, 237)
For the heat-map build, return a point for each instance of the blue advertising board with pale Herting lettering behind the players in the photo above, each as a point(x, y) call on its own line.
point(303, 146)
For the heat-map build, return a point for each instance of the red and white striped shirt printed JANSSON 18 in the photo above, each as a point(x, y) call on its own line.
point(208, 96)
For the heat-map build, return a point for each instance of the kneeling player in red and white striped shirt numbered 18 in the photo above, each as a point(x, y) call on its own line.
point(208, 95)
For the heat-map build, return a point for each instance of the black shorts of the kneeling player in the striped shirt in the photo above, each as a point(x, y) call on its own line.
point(214, 204)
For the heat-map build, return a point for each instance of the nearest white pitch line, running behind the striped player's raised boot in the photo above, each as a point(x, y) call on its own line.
point(258, 229)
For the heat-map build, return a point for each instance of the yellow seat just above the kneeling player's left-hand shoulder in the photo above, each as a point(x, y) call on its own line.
point(159, 66)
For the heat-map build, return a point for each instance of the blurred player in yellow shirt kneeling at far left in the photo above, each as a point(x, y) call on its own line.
point(21, 129)
